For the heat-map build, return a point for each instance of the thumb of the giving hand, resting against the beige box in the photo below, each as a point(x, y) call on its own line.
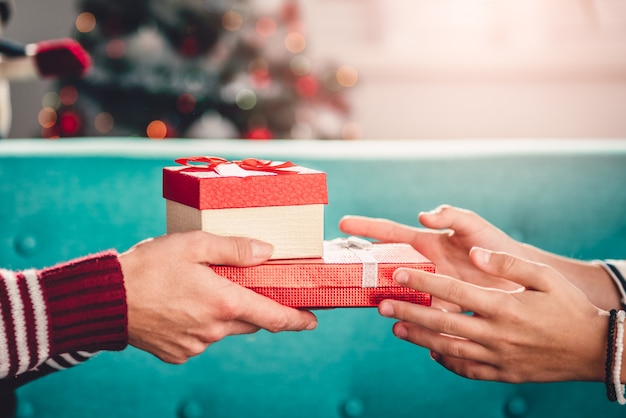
point(233, 251)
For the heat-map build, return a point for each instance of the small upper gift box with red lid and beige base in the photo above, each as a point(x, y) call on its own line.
point(277, 202)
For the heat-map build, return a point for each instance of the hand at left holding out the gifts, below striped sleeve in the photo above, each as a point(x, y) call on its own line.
point(177, 305)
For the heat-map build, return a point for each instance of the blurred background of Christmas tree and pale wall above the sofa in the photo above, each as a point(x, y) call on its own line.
point(326, 69)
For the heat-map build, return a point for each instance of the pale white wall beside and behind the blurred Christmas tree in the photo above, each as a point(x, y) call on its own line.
point(440, 68)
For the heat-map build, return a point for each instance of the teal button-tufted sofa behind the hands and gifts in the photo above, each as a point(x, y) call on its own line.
point(62, 199)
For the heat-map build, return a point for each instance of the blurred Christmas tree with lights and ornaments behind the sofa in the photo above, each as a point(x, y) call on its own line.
point(195, 68)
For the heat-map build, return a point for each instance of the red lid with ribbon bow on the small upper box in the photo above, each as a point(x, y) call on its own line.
point(203, 187)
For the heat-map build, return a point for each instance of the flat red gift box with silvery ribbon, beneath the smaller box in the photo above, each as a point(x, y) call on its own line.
point(348, 275)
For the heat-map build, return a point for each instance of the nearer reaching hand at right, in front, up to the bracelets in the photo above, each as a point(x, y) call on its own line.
point(547, 331)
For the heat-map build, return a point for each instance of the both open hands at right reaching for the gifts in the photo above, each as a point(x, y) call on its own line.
point(535, 314)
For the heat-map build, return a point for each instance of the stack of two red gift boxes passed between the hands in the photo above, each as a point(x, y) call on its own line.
point(283, 204)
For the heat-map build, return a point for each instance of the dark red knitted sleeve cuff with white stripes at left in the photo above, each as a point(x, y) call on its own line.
point(57, 317)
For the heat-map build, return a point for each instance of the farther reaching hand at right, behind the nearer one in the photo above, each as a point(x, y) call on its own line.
point(450, 234)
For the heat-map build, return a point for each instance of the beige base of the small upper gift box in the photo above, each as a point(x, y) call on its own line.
point(294, 231)
